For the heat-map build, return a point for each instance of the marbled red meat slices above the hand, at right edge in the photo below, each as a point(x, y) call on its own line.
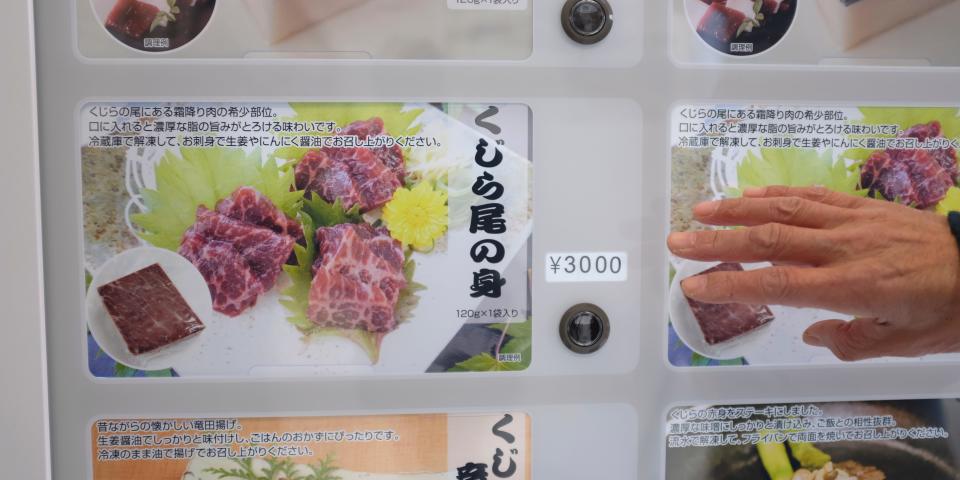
point(914, 177)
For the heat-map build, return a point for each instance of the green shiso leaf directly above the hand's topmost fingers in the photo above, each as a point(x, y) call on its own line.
point(797, 167)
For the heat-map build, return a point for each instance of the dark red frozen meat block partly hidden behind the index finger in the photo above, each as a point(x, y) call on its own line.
point(722, 323)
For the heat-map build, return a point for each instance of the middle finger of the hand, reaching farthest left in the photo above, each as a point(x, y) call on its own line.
point(772, 242)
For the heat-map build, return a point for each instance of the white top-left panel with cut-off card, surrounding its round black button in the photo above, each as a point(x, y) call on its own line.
point(369, 31)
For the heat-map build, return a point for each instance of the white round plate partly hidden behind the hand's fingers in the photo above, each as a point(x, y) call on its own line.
point(689, 330)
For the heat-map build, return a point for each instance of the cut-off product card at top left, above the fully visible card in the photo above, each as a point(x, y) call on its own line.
point(305, 29)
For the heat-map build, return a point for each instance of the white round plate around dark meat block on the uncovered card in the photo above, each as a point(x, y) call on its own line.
point(185, 277)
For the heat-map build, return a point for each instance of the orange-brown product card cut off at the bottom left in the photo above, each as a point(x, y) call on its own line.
point(390, 447)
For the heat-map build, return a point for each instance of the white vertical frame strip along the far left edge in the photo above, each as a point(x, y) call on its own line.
point(23, 369)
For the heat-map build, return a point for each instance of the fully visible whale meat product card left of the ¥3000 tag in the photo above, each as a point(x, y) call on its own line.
point(242, 239)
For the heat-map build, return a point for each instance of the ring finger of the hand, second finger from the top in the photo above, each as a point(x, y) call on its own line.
point(758, 211)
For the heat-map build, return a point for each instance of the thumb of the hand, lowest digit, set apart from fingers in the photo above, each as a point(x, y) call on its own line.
point(858, 339)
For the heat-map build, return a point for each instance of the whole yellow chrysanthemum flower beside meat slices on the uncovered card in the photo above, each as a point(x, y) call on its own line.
point(417, 216)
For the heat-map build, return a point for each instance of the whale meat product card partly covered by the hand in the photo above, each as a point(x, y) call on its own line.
point(899, 154)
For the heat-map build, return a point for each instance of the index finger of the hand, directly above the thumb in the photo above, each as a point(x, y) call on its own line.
point(781, 285)
